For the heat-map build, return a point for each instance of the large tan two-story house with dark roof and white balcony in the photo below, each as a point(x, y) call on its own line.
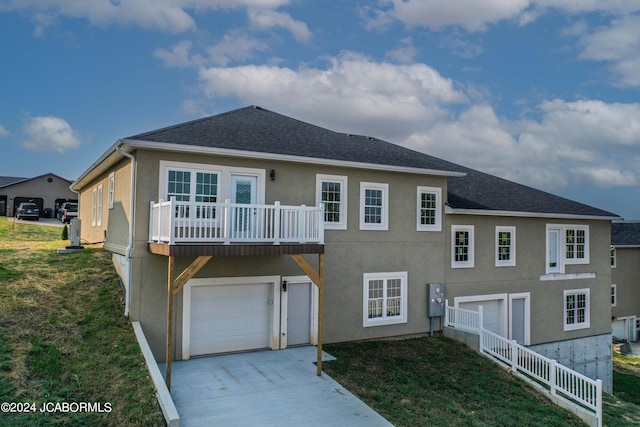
point(392, 221)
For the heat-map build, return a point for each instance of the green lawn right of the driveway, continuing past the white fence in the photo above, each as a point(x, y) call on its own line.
point(437, 381)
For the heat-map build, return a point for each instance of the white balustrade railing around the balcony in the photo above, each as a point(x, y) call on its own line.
point(173, 222)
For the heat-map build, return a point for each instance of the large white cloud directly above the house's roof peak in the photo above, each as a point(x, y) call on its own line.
point(352, 94)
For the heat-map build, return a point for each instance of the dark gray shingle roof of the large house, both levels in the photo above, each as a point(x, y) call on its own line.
point(259, 130)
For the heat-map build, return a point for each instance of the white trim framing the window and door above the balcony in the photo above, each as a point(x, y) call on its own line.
point(224, 172)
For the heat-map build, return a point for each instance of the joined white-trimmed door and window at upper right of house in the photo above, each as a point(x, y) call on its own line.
point(566, 244)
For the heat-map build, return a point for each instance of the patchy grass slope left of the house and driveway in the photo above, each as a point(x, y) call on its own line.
point(63, 334)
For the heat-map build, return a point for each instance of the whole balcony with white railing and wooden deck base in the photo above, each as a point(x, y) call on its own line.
point(178, 228)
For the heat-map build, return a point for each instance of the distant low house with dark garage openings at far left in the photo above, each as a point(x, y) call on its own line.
point(48, 191)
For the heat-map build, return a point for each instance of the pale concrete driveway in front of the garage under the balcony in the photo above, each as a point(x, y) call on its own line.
point(266, 388)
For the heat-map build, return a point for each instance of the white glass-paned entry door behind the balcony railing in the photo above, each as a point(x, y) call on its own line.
point(244, 191)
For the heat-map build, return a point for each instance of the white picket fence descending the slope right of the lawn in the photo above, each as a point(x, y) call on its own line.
point(581, 392)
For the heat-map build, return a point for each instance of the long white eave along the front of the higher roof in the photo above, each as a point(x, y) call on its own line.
point(162, 146)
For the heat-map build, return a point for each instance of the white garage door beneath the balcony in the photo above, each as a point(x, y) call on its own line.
point(228, 318)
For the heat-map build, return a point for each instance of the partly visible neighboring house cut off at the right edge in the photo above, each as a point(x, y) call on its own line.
point(625, 279)
